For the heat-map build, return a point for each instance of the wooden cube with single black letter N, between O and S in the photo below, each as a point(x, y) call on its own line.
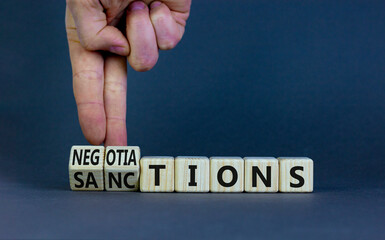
point(261, 174)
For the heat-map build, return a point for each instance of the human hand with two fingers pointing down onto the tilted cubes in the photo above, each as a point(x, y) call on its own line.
point(99, 78)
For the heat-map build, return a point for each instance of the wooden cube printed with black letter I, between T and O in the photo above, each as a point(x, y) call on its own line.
point(192, 174)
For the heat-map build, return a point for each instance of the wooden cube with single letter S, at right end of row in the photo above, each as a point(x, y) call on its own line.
point(296, 174)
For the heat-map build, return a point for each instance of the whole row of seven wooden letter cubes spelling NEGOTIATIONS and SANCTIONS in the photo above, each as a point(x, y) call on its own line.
point(121, 169)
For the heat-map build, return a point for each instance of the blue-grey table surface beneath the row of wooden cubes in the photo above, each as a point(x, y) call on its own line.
point(27, 212)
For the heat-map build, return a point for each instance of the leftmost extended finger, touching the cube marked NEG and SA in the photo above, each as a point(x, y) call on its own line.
point(88, 80)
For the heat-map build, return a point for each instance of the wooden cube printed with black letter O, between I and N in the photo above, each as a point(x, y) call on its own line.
point(226, 174)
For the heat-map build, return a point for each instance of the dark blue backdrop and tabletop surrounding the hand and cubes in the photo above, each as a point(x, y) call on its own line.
point(250, 78)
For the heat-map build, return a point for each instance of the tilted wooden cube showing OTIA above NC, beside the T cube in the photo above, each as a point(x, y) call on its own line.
point(121, 168)
